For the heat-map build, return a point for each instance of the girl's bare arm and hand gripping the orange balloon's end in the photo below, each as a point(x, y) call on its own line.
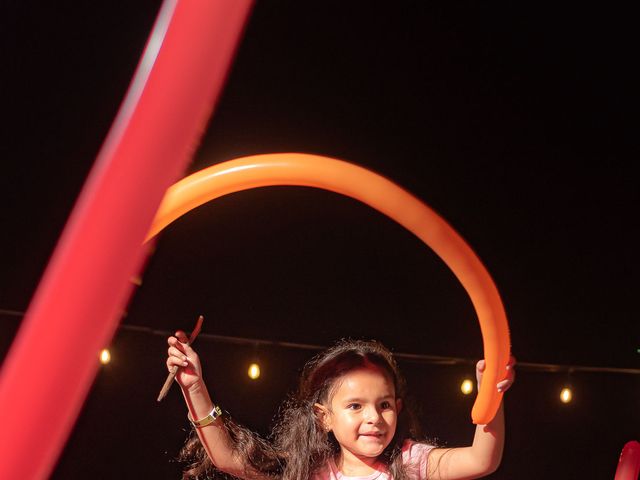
point(484, 455)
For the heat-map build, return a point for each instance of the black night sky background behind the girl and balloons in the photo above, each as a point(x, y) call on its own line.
point(510, 119)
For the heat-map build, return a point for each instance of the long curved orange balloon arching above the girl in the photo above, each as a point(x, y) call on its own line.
point(386, 197)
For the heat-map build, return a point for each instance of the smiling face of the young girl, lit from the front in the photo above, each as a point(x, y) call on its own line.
point(362, 413)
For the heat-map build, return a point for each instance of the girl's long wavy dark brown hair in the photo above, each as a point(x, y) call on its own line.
point(299, 446)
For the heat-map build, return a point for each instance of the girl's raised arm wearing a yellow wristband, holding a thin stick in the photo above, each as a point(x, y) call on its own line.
point(213, 436)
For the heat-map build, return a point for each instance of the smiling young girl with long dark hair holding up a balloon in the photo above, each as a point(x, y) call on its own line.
point(348, 420)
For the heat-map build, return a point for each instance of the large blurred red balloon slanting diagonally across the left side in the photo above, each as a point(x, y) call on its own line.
point(76, 308)
